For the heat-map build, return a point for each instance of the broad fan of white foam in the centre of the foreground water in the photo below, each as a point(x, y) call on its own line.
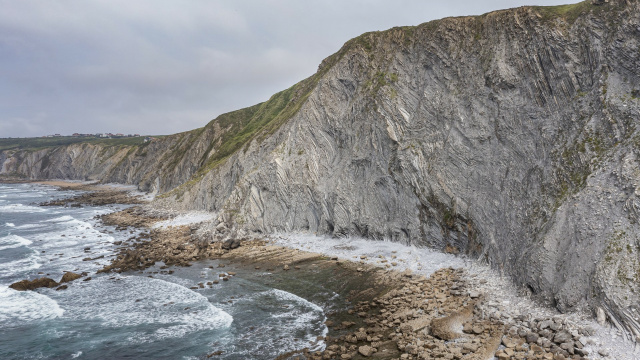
point(134, 301)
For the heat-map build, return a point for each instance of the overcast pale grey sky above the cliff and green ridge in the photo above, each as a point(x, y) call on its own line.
point(158, 67)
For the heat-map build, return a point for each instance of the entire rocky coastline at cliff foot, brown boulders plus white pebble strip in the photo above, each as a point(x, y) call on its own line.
point(388, 309)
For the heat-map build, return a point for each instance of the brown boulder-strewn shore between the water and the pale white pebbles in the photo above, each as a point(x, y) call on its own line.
point(399, 315)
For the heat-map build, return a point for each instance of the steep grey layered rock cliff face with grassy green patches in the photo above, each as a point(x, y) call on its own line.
point(511, 137)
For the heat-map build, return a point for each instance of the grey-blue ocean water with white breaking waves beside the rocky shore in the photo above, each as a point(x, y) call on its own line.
point(133, 315)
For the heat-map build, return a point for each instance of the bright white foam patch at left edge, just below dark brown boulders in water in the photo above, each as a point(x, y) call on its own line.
point(20, 306)
